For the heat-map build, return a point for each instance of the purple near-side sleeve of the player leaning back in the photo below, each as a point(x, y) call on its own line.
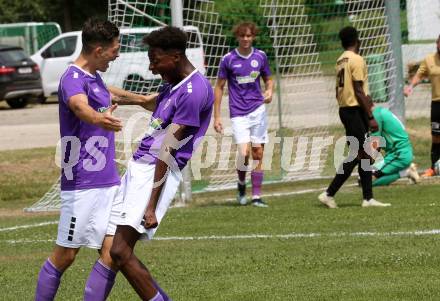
point(188, 108)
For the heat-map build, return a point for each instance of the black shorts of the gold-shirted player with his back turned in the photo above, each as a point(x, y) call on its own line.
point(355, 122)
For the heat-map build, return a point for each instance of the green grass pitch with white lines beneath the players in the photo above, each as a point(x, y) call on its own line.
point(215, 250)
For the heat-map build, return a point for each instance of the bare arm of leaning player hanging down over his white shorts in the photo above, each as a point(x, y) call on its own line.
point(175, 136)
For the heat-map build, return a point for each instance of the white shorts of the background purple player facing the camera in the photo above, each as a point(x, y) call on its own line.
point(251, 127)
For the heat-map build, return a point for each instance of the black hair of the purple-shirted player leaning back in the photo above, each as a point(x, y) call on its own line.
point(167, 38)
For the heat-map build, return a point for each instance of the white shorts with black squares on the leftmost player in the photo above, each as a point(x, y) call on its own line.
point(85, 216)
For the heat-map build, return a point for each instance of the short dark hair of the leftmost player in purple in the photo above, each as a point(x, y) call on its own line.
point(98, 32)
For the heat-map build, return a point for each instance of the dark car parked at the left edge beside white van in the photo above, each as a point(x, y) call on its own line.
point(20, 78)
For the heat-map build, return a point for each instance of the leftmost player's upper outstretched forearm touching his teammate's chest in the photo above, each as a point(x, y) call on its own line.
point(123, 97)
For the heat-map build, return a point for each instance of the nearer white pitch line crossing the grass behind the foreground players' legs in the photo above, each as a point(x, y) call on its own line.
point(266, 236)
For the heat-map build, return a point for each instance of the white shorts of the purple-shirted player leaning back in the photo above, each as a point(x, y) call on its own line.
point(134, 195)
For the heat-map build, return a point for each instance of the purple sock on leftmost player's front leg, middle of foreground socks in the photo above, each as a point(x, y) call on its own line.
point(99, 283)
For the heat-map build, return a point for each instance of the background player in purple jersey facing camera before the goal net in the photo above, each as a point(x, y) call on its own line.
point(242, 68)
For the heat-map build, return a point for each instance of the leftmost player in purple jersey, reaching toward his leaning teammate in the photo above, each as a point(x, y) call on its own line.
point(89, 177)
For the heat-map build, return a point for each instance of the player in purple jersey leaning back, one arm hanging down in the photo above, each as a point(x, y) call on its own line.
point(181, 116)
